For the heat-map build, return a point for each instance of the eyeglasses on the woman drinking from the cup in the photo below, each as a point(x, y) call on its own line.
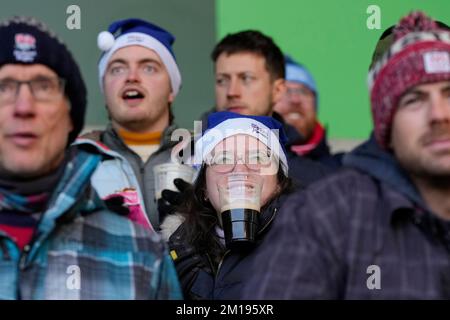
point(225, 162)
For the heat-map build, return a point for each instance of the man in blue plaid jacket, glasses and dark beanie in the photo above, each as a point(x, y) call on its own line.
point(57, 239)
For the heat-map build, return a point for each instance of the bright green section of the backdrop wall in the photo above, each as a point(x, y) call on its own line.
point(332, 39)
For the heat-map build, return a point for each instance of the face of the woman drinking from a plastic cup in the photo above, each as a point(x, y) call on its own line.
point(243, 150)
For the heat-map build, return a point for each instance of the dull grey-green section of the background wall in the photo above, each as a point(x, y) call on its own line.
point(192, 22)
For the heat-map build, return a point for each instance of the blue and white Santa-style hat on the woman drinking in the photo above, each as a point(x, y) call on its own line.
point(224, 124)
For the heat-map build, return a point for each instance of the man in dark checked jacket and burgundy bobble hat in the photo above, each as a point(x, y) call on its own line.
point(380, 229)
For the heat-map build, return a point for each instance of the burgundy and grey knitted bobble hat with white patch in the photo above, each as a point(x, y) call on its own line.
point(420, 54)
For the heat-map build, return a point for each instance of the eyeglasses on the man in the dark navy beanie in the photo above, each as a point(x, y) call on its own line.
point(43, 89)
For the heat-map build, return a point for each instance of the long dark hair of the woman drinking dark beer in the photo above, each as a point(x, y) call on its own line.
point(201, 217)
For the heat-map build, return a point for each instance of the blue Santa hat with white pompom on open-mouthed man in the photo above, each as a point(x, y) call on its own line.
point(132, 32)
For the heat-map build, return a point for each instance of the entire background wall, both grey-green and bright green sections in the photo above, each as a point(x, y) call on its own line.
point(330, 37)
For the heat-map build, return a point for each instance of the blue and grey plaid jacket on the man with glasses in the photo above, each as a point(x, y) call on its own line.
point(81, 250)
